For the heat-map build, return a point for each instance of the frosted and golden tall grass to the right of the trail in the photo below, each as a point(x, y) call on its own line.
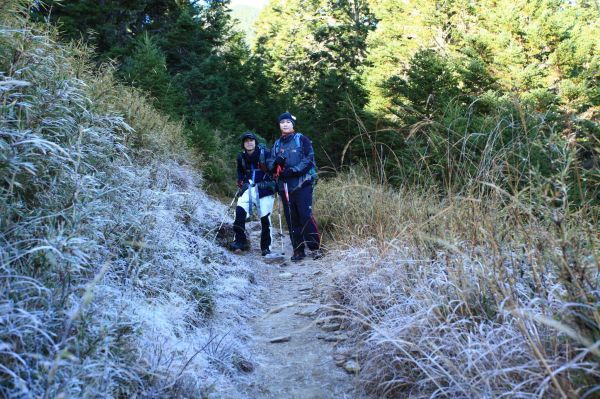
point(482, 294)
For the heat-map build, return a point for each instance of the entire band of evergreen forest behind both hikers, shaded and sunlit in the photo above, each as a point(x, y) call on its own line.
point(420, 93)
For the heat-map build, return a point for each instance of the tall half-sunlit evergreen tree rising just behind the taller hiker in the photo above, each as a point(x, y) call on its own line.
point(314, 52)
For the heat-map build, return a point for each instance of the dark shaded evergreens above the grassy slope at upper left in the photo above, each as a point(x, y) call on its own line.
point(188, 57)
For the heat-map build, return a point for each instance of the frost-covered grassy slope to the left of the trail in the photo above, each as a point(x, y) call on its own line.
point(110, 285)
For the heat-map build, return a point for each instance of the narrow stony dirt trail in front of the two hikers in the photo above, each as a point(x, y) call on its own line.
point(303, 366)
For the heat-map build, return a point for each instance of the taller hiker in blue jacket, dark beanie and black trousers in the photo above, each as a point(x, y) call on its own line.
point(293, 164)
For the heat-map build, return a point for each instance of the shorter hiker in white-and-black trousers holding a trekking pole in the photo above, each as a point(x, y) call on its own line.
point(256, 190)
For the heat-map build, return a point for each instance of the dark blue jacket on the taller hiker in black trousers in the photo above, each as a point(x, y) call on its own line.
point(298, 161)
